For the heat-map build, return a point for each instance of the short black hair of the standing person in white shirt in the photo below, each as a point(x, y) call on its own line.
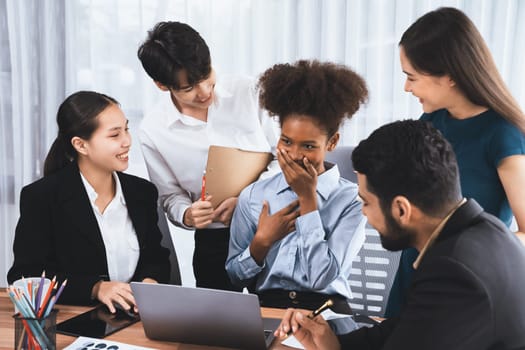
point(172, 47)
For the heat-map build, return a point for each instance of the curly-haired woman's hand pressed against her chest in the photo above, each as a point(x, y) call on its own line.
point(272, 228)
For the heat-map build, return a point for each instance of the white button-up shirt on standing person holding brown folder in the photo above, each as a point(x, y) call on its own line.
point(175, 146)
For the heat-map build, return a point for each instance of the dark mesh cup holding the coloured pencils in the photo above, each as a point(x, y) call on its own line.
point(32, 331)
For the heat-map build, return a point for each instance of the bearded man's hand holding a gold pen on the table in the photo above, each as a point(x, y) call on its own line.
point(313, 334)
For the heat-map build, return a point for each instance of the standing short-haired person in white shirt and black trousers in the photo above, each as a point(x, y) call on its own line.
point(175, 136)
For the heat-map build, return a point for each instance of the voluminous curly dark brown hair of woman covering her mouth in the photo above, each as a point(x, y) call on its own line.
point(324, 91)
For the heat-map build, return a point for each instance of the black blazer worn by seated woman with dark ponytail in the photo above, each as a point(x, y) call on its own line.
point(58, 232)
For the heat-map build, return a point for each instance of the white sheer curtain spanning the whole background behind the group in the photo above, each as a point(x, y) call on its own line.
point(53, 46)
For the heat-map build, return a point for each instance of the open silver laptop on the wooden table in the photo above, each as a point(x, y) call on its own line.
point(203, 316)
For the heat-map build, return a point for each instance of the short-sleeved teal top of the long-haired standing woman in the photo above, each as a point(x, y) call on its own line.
point(481, 143)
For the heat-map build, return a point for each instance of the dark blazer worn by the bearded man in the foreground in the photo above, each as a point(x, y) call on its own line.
point(468, 292)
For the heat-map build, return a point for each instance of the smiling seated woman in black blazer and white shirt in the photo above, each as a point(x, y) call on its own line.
point(85, 220)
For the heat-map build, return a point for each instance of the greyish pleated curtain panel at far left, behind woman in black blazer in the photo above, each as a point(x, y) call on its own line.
point(32, 81)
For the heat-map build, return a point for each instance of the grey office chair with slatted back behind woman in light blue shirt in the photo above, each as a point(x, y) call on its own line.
point(374, 268)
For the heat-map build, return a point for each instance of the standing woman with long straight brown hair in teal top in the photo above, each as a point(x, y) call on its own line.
point(450, 70)
